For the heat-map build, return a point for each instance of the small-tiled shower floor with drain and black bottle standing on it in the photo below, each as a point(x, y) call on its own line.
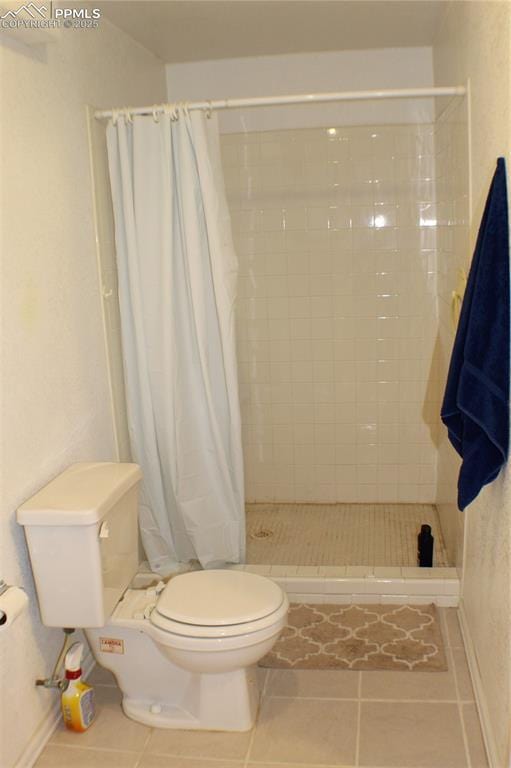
point(340, 534)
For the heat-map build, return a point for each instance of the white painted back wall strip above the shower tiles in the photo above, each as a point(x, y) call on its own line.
point(308, 73)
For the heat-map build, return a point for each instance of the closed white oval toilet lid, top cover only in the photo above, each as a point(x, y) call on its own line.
point(218, 598)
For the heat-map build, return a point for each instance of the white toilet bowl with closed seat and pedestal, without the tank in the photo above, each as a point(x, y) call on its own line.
point(197, 673)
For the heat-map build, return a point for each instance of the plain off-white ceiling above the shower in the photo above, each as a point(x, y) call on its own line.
point(195, 30)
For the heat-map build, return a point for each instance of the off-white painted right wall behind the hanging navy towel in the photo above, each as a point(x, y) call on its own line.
point(473, 42)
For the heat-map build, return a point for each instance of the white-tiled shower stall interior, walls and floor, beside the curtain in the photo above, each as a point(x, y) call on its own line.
point(350, 237)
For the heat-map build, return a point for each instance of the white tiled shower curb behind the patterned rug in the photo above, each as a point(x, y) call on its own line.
point(345, 585)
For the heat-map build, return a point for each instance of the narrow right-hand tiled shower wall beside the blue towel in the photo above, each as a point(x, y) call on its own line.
point(451, 147)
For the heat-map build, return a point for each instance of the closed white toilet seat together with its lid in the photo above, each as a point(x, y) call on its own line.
point(221, 603)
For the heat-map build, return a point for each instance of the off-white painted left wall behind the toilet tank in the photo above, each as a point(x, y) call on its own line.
point(55, 392)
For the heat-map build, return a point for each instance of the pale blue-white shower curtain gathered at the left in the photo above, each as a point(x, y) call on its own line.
point(177, 282)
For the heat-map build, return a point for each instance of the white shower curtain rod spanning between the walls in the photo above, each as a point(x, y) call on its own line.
point(306, 98)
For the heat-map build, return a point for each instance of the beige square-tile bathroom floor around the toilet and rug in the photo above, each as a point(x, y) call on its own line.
point(307, 718)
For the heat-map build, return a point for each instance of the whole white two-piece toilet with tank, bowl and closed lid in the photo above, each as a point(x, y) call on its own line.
point(183, 652)
